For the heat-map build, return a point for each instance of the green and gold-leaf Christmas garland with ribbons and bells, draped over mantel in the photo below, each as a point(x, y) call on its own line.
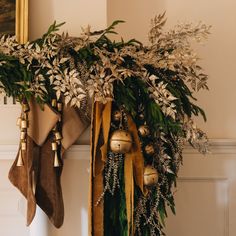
point(144, 96)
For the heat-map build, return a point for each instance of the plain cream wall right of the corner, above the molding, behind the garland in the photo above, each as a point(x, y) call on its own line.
point(218, 55)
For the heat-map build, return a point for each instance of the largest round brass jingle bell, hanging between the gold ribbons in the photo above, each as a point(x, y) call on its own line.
point(120, 141)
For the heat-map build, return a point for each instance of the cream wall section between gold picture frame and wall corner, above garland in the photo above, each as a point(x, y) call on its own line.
point(76, 14)
